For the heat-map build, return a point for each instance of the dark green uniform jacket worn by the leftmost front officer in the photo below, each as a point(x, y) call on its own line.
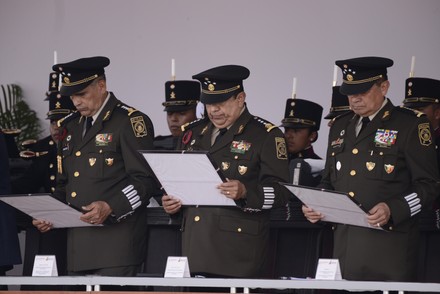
point(105, 166)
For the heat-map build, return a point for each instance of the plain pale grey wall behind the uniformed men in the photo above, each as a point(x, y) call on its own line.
point(276, 39)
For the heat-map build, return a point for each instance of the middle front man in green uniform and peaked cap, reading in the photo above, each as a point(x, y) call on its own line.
point(232, 241)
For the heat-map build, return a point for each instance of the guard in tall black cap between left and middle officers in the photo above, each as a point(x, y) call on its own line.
point(181, 98)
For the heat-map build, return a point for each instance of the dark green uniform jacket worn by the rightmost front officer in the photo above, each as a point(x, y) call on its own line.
point(393, 160)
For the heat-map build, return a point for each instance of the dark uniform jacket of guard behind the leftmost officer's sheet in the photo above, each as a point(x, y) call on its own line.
point(41, 174)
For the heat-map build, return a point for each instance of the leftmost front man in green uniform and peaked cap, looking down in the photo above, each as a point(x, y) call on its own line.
point(103, 174)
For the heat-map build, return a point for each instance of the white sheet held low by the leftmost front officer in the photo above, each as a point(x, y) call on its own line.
point(45, 207)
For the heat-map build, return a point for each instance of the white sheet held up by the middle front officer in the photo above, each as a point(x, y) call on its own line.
point(191, 177)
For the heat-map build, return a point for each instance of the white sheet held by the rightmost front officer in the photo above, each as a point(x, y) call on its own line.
point(336, 207)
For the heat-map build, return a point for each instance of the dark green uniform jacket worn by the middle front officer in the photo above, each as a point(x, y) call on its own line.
point(233, 241)
